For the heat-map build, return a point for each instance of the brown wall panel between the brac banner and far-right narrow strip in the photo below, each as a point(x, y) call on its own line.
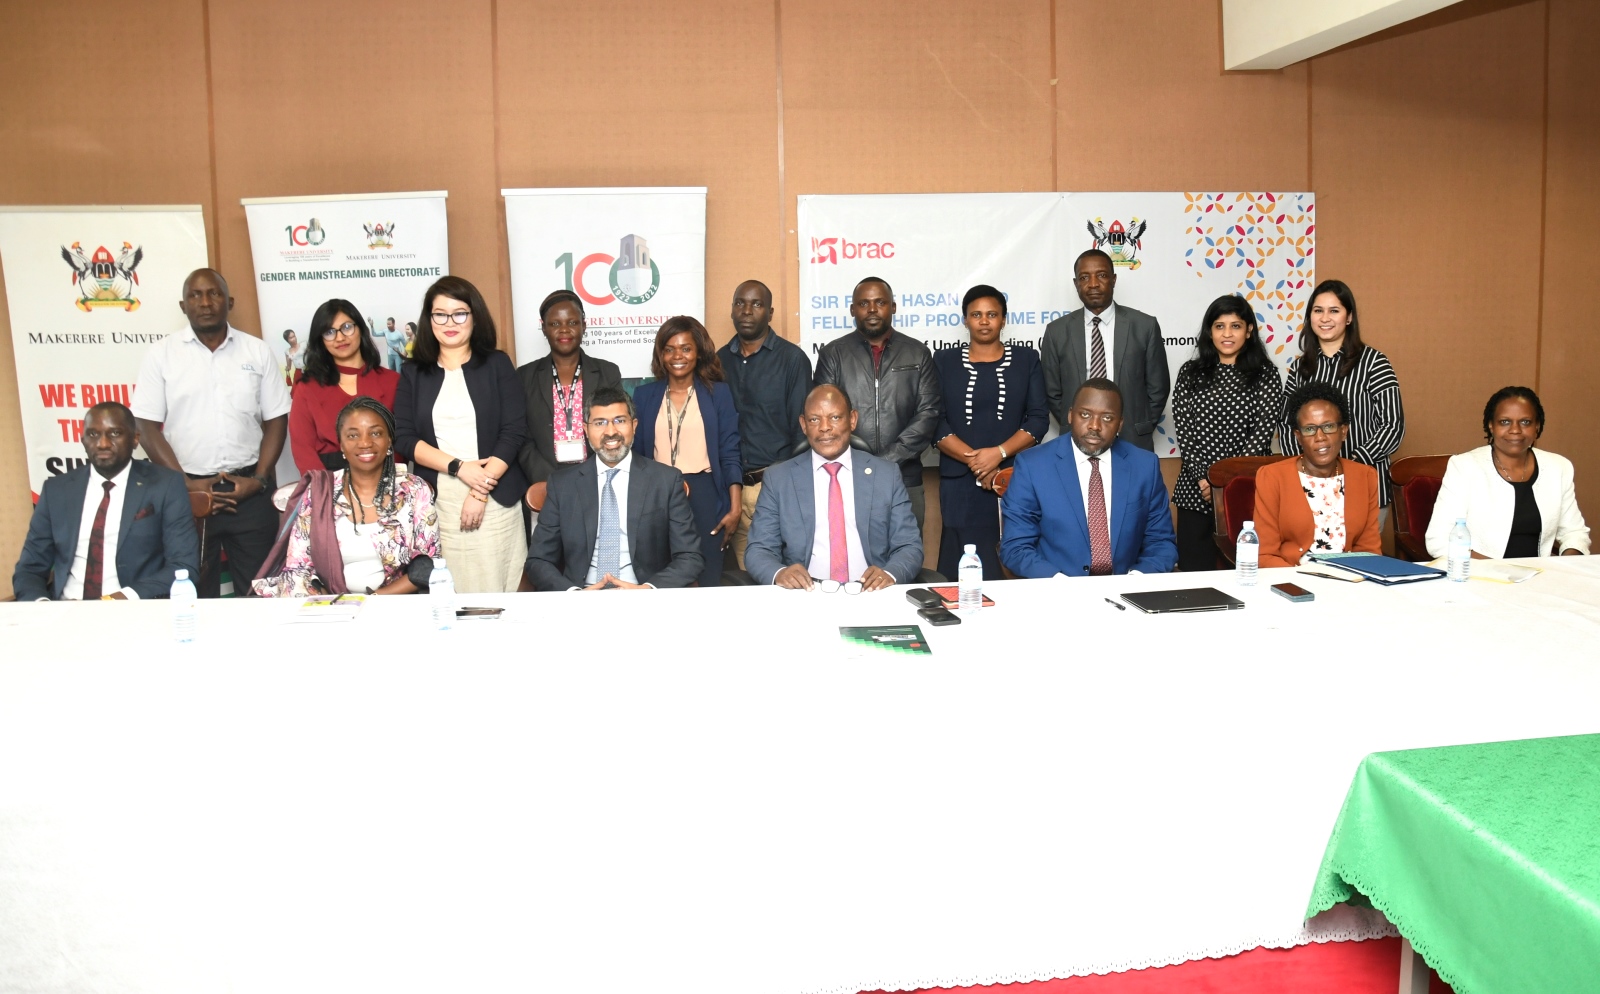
point(1428, 170)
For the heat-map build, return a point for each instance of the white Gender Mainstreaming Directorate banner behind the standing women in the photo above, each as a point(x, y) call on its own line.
point(378, 252)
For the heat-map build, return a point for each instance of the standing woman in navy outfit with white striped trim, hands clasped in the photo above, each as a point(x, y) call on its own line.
point(996, 409)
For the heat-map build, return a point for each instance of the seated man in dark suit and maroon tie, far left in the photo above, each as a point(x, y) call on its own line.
point(111, 534)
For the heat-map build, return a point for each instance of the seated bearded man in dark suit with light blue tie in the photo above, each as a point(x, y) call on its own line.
point(612, 523)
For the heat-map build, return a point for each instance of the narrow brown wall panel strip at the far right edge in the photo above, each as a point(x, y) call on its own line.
point(1569, 367)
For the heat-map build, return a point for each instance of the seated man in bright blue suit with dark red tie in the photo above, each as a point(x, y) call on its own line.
point(1090, 505)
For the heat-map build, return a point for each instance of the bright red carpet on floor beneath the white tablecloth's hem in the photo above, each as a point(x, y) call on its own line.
point(1372, 968)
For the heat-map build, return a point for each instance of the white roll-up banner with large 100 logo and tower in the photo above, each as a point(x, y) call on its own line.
point(634, 255)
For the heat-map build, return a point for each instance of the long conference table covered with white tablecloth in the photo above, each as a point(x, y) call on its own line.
point(706, 792)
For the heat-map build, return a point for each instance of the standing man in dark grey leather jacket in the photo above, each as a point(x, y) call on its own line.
point(894, 383)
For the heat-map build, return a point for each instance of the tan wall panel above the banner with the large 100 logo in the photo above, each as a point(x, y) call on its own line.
point(617, 94)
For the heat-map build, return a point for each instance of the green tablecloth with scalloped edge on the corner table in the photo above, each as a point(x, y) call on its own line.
point(1486, 857)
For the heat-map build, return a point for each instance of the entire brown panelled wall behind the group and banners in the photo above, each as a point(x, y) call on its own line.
point(1450, 158)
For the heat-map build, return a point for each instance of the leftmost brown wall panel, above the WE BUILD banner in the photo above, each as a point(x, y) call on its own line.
point(92, 116)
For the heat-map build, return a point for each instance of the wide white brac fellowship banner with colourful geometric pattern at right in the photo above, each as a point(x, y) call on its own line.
point(1174, 254)
